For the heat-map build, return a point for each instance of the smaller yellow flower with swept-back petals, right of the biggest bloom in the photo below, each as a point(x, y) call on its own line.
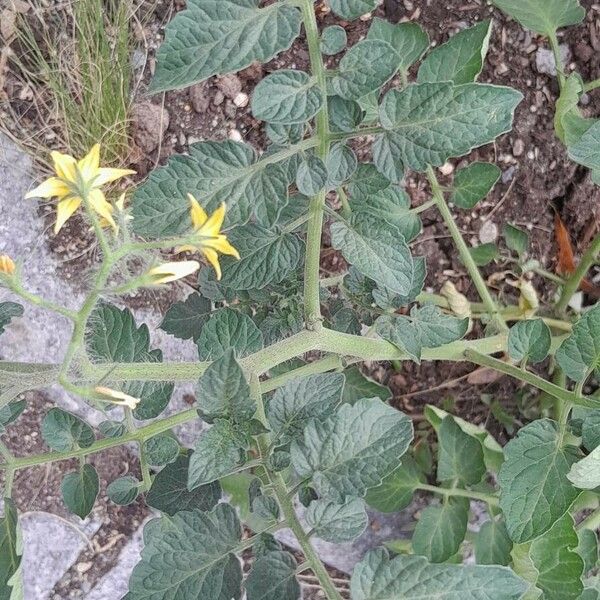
point(209, 239)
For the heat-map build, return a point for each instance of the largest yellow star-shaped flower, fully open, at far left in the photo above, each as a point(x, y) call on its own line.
point(75, 179)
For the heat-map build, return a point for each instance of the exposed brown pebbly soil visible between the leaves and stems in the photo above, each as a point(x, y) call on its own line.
point(538, 180)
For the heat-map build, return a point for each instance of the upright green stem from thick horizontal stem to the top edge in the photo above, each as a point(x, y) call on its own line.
point(312, 308)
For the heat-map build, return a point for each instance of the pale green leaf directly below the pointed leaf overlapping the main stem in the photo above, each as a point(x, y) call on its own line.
point(218, 452)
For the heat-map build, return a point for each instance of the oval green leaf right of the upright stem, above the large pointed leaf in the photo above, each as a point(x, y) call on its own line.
point(365, 68)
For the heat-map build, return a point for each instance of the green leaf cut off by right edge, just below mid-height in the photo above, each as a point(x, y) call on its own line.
point(579, 355)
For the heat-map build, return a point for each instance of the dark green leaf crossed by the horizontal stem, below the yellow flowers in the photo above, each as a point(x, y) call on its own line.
point(113, 337)
